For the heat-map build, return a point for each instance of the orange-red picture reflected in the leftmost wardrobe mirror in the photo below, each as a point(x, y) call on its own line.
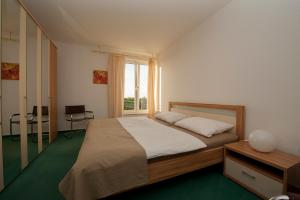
point(10, 71)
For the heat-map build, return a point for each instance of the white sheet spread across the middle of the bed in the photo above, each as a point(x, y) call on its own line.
point(159, 140)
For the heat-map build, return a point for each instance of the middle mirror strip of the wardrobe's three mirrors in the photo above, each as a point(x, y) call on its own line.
point(31, 51)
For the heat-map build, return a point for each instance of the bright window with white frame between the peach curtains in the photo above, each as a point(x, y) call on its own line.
point(136, 86)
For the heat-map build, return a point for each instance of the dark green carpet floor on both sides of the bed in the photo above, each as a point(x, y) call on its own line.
point(40, 180)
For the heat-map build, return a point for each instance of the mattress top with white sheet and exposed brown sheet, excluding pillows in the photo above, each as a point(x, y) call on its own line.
point(160, 143)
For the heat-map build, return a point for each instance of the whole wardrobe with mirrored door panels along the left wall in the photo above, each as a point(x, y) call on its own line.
point(28, 90)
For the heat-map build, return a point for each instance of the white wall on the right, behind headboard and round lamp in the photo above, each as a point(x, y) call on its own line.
point(247, 53)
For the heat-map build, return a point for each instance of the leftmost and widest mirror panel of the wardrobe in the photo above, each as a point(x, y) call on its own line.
point(10, 89)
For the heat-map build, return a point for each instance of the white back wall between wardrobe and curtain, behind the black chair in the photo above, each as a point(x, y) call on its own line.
point(75, 87)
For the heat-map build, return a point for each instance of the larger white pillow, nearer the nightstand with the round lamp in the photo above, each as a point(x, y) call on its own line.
point(204, 126)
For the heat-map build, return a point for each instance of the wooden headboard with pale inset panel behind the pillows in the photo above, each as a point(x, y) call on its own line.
point(234, 114)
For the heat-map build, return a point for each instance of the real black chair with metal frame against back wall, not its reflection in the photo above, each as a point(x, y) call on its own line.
point(77, 113)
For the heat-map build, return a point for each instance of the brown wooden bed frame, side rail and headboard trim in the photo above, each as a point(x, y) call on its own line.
point(159, 170)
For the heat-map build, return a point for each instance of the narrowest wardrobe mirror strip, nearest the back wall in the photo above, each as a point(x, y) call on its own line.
point(45, 90)
